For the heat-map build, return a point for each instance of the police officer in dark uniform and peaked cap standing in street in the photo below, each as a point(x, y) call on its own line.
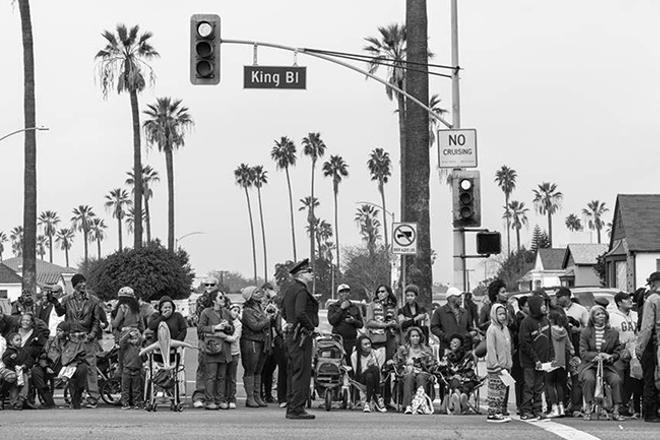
point(301, 312)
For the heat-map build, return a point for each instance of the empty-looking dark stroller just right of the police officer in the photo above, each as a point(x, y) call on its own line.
point(330, 373)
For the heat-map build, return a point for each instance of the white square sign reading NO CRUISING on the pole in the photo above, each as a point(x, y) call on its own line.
point(457, 148)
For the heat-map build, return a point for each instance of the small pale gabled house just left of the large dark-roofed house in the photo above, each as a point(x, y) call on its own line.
point(579, 264)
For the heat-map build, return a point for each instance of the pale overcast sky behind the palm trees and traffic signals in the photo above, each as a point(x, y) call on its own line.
point(561, 91)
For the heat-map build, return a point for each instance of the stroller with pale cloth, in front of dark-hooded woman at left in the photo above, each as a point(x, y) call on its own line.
point(165, 373)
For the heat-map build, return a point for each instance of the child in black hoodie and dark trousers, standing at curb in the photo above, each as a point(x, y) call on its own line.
point(535, 350)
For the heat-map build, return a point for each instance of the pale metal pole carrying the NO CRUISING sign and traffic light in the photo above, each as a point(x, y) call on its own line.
point(460, 267)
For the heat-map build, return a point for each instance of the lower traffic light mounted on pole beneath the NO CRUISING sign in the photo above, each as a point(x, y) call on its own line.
point(466, 199)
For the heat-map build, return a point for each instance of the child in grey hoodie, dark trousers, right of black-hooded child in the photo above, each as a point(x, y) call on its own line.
point(557, 378)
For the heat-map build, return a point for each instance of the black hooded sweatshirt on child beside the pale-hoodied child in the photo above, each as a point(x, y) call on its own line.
point(535, 336)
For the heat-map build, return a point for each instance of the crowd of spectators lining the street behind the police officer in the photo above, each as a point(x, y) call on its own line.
point(541, 347)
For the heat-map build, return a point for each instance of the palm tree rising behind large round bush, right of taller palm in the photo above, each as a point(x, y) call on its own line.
point(168, 123)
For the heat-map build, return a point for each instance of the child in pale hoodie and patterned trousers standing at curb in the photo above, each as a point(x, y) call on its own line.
point(498, 360)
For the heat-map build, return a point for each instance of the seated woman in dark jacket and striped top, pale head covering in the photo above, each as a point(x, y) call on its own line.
point(599, 341)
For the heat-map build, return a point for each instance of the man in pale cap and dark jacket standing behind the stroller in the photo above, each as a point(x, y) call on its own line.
point(345, 318)
